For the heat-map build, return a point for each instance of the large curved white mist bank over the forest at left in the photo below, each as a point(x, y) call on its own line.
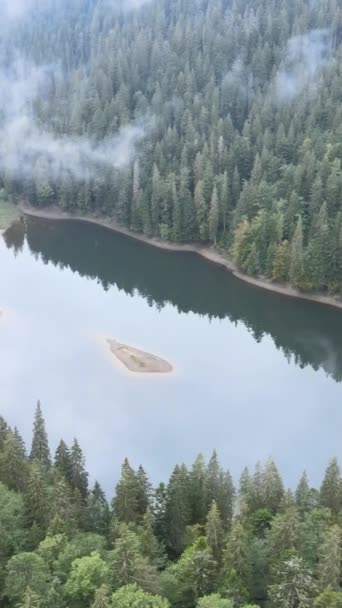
point(24, 143)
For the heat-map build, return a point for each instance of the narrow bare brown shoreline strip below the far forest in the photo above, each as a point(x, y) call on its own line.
point(208, 253)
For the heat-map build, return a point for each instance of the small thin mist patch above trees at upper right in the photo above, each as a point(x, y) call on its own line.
point(306, 55)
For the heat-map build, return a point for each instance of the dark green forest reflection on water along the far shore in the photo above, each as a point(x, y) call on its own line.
point(306, 332)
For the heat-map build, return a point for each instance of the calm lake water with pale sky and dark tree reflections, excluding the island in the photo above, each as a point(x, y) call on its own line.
point(256, 374)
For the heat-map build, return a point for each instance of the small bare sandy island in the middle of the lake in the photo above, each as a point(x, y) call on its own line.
point(137, 360)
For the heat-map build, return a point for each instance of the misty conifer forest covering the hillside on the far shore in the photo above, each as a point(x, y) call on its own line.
point(237, 111)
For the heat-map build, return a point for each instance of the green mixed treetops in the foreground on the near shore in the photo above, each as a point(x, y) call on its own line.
point(195, 541)
